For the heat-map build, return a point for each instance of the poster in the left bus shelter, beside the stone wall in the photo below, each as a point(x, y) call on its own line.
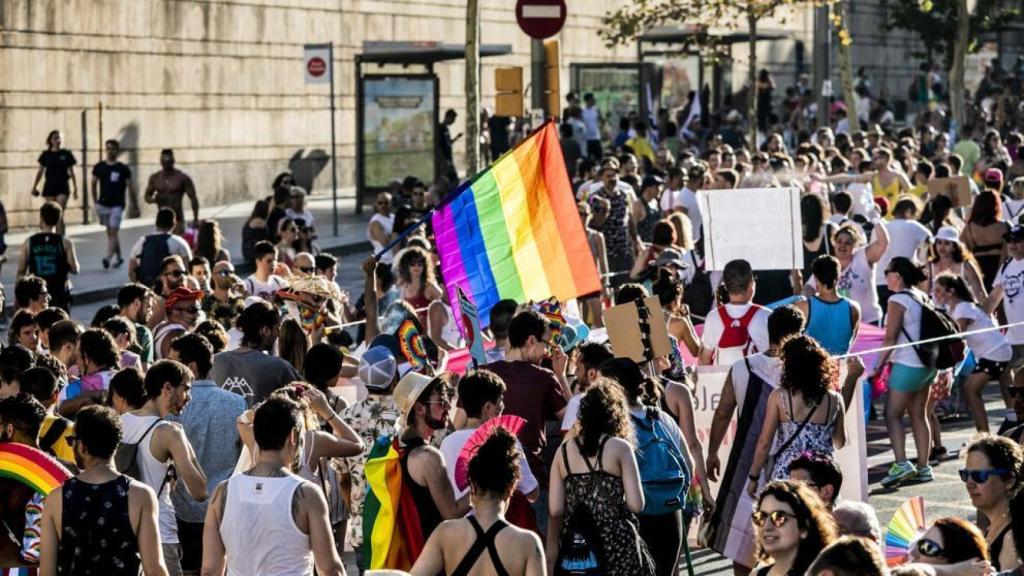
point(399, 129)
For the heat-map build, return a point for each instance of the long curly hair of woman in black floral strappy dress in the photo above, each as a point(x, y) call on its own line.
point(604, 412)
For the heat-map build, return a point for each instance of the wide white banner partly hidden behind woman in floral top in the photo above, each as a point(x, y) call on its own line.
point(852, 459)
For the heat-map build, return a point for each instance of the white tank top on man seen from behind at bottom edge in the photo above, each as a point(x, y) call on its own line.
point(260, 533)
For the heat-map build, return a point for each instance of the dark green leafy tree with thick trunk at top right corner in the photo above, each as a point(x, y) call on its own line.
point(931, 21)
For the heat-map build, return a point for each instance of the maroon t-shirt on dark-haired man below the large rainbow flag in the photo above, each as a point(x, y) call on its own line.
point(533, 394)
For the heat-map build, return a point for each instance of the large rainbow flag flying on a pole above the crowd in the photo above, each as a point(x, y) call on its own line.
point(515, 232)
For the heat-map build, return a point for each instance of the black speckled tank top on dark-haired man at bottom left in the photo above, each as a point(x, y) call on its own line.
point(87, 551)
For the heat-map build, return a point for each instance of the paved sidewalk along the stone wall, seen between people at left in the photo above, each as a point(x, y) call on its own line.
point(94, 283)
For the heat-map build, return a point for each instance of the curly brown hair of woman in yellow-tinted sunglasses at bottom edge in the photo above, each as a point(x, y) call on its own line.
point(812, 516)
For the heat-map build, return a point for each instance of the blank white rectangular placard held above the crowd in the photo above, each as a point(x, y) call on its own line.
point(760, 226)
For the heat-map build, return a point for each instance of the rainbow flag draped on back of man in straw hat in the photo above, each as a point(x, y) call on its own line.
point(392, 534)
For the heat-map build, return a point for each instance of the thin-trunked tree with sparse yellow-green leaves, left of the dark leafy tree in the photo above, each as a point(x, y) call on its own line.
point(634, 17)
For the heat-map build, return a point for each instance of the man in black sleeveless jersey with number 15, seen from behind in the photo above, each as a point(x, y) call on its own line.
point(51, 256)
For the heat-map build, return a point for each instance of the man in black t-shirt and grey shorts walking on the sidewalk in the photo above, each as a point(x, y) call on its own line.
point(113, 179)
